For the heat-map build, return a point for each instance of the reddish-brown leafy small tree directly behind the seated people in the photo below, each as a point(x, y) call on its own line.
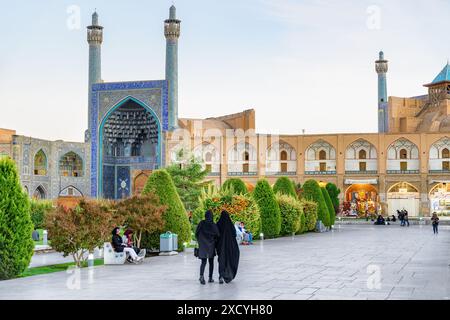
point(142, 213)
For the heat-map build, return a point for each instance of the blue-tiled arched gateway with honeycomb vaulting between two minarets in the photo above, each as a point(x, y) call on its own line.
point(126, 138)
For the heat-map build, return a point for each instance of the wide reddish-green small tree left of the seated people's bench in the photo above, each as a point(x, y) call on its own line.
point(77, 231)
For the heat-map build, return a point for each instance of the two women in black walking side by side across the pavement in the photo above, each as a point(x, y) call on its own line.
point(218, 239)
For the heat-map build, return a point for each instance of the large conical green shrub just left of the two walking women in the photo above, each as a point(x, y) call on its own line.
point(175, 217)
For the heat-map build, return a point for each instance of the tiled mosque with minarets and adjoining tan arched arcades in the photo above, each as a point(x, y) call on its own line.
point(134, 128)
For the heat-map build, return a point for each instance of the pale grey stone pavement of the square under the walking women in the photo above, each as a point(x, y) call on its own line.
point(412, 263)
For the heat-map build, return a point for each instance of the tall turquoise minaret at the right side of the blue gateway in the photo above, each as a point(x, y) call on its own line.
point(172, 33)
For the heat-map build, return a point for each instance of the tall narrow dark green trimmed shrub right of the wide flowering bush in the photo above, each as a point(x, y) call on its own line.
point(269, 209)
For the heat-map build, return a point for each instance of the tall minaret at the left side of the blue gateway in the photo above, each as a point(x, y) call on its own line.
point(95, 39)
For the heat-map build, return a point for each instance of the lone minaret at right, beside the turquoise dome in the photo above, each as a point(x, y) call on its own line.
point(381, 66)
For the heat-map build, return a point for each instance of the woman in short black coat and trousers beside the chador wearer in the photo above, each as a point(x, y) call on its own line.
point(207, 235)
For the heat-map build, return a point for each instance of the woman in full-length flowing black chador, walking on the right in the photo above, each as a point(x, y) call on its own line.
point(227, 249)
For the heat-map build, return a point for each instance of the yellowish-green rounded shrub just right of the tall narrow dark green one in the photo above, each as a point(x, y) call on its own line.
point(292, 218)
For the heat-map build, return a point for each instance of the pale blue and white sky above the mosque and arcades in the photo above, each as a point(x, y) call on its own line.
point(301, 64)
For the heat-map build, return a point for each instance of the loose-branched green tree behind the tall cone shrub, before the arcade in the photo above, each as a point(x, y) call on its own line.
point(189, 181)
